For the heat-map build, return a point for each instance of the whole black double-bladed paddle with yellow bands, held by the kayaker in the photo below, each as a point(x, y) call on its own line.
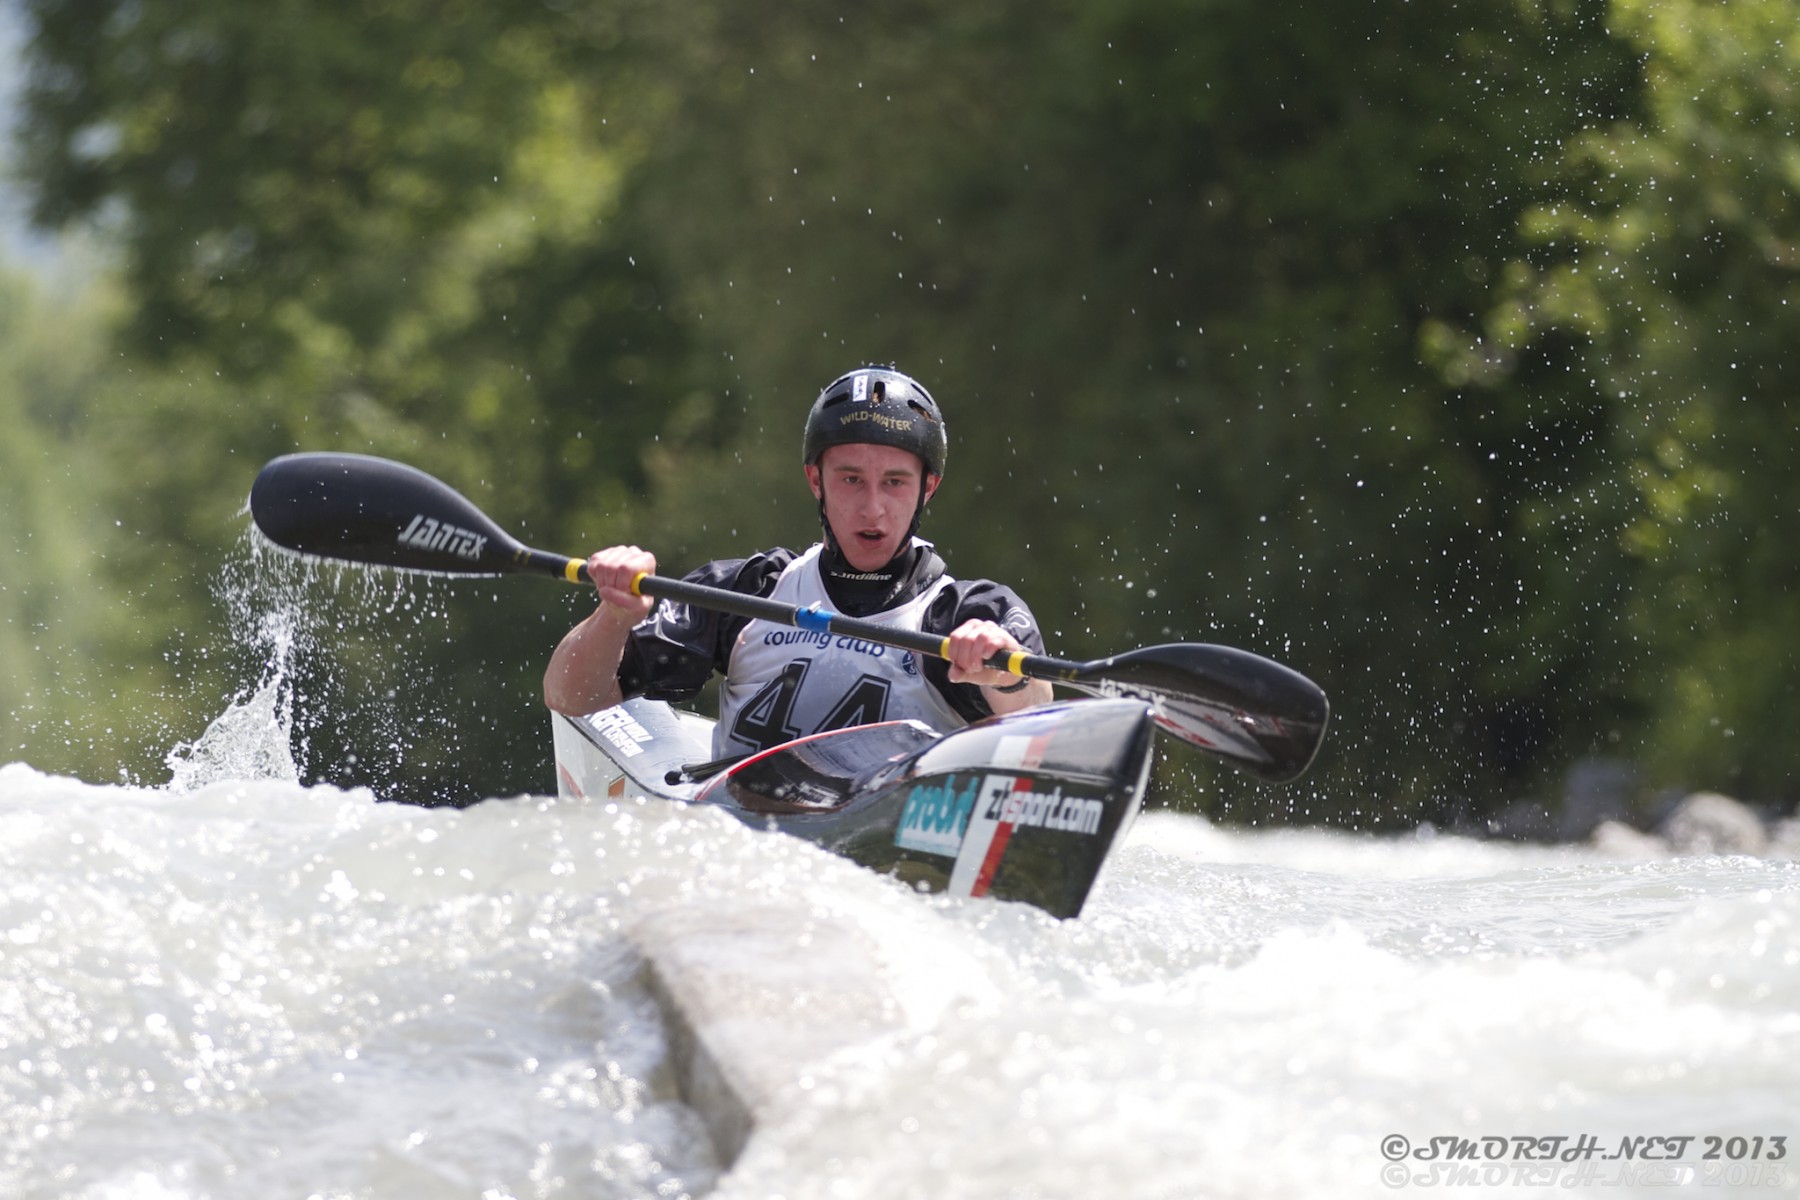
point(1257, 715)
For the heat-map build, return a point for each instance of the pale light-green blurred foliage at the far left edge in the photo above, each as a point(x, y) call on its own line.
point(84, 685)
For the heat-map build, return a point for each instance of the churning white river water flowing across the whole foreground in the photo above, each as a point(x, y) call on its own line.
point(242, 987)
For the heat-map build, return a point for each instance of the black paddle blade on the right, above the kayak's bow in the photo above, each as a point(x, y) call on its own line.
point(1252, 712)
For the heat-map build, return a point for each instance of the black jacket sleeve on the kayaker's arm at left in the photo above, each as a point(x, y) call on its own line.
point(674, 652)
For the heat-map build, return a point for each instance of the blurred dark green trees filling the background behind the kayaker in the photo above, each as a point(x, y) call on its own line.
point(1434, 350)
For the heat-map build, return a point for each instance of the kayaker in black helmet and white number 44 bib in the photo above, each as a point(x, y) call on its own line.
point(874, 454)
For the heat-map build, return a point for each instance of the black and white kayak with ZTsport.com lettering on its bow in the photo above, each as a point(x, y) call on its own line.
point(1023, 807)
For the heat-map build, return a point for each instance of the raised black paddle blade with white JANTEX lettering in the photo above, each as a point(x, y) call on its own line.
point(366, 510)
